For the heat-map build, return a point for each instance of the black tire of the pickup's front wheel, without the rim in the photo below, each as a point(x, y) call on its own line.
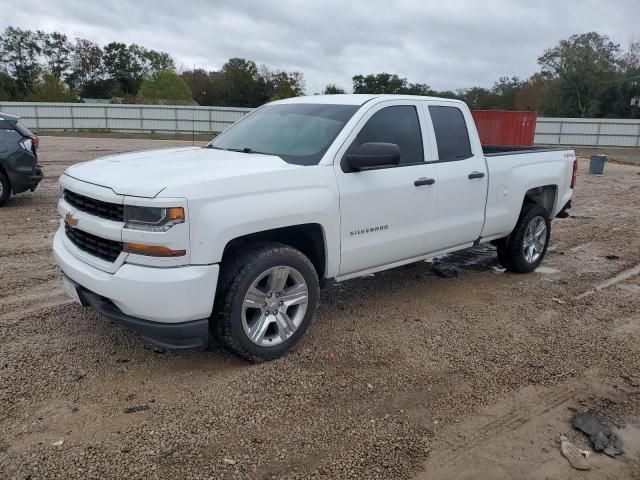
point(238, 274)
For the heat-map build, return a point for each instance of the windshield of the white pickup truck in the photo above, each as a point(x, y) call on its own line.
point(299, 133)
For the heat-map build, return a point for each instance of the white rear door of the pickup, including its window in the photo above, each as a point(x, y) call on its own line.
point(462, 176)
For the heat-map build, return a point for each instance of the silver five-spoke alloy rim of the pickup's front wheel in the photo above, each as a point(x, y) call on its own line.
point(274, 306)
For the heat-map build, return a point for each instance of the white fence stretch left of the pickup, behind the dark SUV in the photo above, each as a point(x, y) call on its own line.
point(123, 118)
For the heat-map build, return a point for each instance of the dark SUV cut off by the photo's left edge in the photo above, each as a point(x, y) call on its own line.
point(19, 169)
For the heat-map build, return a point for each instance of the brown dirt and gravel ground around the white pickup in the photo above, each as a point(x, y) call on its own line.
point(403, 374)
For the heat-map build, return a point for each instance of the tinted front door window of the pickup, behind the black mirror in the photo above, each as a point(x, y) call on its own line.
point(398, 124)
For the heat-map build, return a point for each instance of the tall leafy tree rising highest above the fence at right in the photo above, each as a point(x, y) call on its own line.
point(580, 68)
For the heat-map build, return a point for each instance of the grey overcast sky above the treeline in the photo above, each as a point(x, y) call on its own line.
point(445, 44)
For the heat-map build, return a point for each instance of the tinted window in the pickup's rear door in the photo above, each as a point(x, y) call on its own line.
point(451, 131)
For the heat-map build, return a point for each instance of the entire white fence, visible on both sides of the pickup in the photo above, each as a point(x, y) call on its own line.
point(179, 119)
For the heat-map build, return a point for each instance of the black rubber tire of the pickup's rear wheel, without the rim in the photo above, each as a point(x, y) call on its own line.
point(511, 249)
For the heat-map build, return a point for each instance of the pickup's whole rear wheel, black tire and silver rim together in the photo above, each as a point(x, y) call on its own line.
point(525, 248)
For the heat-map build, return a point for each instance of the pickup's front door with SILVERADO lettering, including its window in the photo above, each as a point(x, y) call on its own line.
point(387, 214)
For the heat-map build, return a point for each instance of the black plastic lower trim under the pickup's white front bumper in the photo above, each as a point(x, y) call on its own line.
point(192, 335)
